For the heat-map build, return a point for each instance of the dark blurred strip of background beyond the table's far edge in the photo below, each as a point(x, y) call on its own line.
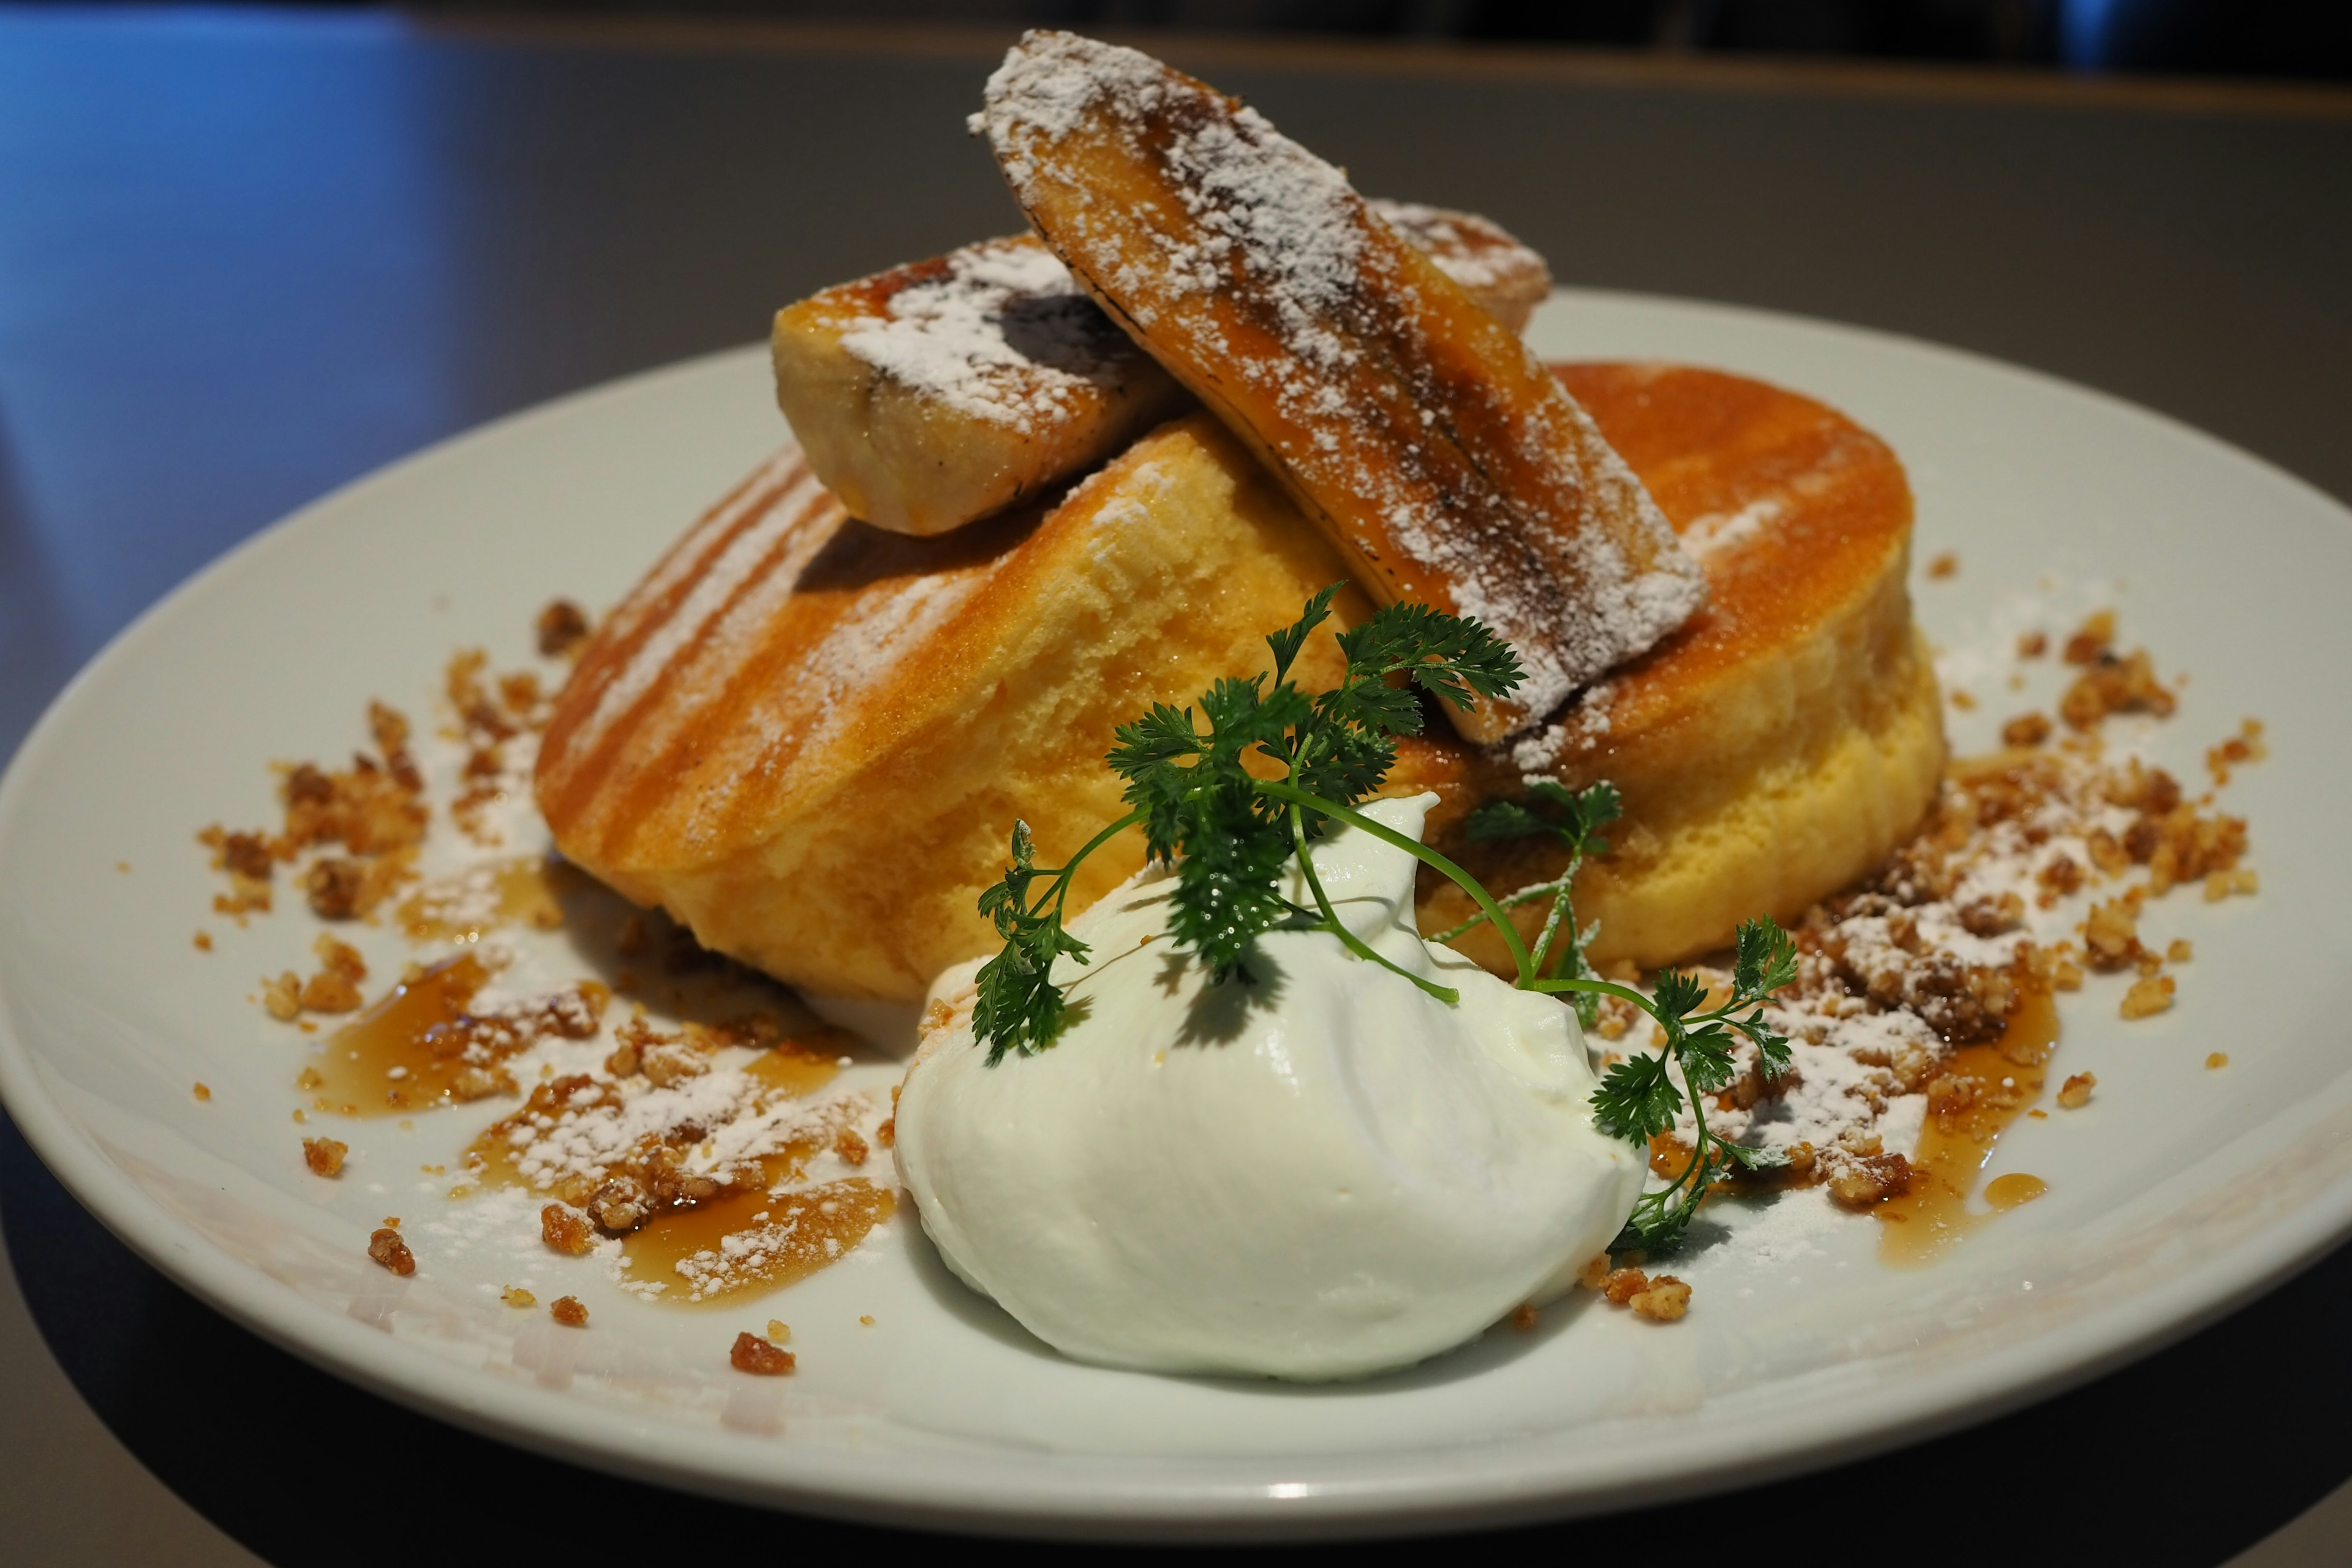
point(2294, 39)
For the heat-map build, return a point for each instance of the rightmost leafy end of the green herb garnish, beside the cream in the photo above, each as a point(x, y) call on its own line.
point(1641, 1097)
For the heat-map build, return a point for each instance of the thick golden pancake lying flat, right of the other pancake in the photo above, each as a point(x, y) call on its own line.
point(1777, 746)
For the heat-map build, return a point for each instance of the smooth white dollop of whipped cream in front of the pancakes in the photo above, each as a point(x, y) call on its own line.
point(1321, 1172)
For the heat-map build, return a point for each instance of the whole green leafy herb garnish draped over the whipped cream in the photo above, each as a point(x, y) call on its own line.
point(1231, 838)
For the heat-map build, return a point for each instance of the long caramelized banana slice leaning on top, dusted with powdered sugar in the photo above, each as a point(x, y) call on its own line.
point(1443, 460)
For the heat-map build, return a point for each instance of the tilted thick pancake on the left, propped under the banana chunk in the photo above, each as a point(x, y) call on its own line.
point(810, 739)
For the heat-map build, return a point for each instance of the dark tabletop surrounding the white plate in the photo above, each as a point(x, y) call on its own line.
point(248, 257)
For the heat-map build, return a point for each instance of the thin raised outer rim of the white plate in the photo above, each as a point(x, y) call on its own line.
point(1071, 1503)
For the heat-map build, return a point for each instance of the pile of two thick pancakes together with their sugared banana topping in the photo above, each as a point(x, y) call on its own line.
point(815, 723)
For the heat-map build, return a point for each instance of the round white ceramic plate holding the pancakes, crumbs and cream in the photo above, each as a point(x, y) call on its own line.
point(2174, 1195)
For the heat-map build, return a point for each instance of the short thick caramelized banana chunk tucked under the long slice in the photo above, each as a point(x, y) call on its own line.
point(949, 389)
